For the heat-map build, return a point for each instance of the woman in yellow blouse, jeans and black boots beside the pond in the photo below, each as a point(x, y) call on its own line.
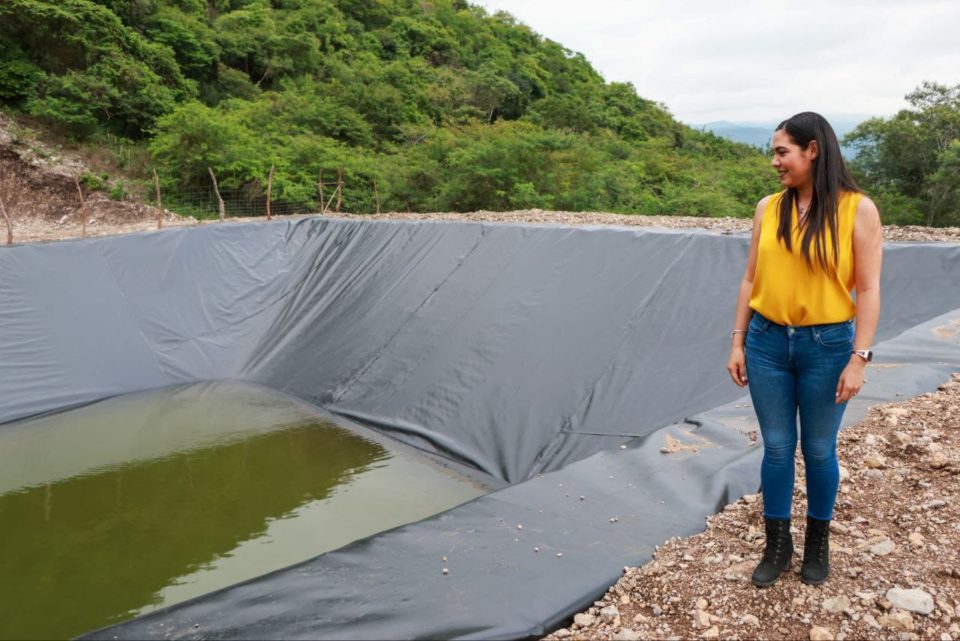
point(794, 336)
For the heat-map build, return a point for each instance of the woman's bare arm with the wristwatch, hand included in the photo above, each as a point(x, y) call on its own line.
point(867, 257)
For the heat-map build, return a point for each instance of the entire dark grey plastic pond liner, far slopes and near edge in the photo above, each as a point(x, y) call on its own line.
point(556, 359)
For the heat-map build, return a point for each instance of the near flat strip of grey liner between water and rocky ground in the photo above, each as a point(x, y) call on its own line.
point(580, 526)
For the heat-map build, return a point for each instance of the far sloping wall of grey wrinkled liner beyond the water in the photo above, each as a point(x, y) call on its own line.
point(513, 349)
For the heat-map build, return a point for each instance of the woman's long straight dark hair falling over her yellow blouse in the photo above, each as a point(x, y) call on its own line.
point(830, 177)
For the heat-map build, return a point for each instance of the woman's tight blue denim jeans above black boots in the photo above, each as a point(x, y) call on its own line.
point(791, 370)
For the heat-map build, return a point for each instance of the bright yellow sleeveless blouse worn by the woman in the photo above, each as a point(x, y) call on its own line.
point(786, 290)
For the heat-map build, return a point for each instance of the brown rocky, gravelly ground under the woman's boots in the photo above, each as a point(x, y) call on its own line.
point(895, 550)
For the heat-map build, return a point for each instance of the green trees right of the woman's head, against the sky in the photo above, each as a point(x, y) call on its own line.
point(910, 163)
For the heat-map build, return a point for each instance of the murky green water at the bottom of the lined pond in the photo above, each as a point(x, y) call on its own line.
point(141, 501)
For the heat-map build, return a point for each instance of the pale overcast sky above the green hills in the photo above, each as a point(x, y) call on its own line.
point(755, 60)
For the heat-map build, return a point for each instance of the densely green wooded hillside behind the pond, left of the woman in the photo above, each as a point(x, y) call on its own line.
point(444, 107)
